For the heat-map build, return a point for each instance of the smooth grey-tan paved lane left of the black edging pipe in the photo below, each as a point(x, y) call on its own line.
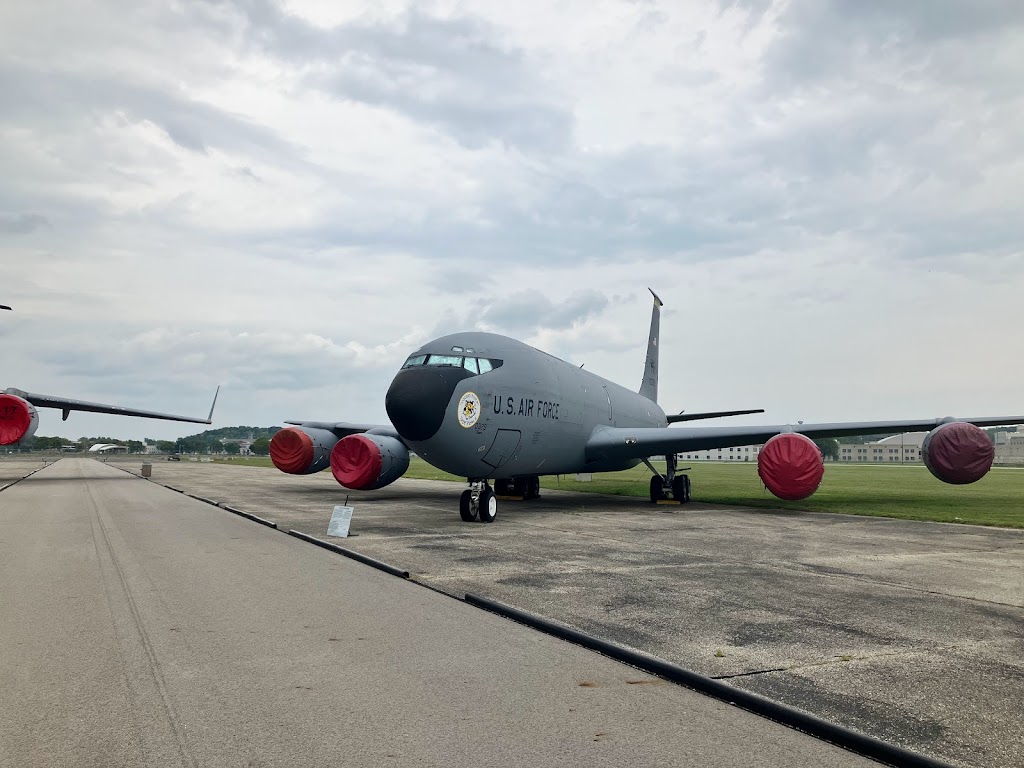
point(143, 628)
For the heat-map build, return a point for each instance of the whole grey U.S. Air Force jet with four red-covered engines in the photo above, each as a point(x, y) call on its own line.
point(492, 409)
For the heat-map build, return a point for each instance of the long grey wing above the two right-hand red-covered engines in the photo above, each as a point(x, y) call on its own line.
point(622, 443)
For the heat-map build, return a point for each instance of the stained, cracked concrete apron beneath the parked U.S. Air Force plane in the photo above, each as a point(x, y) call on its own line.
point(910, 632)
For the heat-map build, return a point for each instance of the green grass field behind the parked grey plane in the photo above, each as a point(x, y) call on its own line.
point(909, 493)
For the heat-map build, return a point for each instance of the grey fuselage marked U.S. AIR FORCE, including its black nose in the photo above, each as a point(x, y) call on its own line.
point(531, 415)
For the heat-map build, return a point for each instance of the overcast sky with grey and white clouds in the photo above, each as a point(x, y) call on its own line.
point(286, 199)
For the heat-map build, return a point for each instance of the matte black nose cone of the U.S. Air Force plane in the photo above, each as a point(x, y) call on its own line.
point(418, 398)
